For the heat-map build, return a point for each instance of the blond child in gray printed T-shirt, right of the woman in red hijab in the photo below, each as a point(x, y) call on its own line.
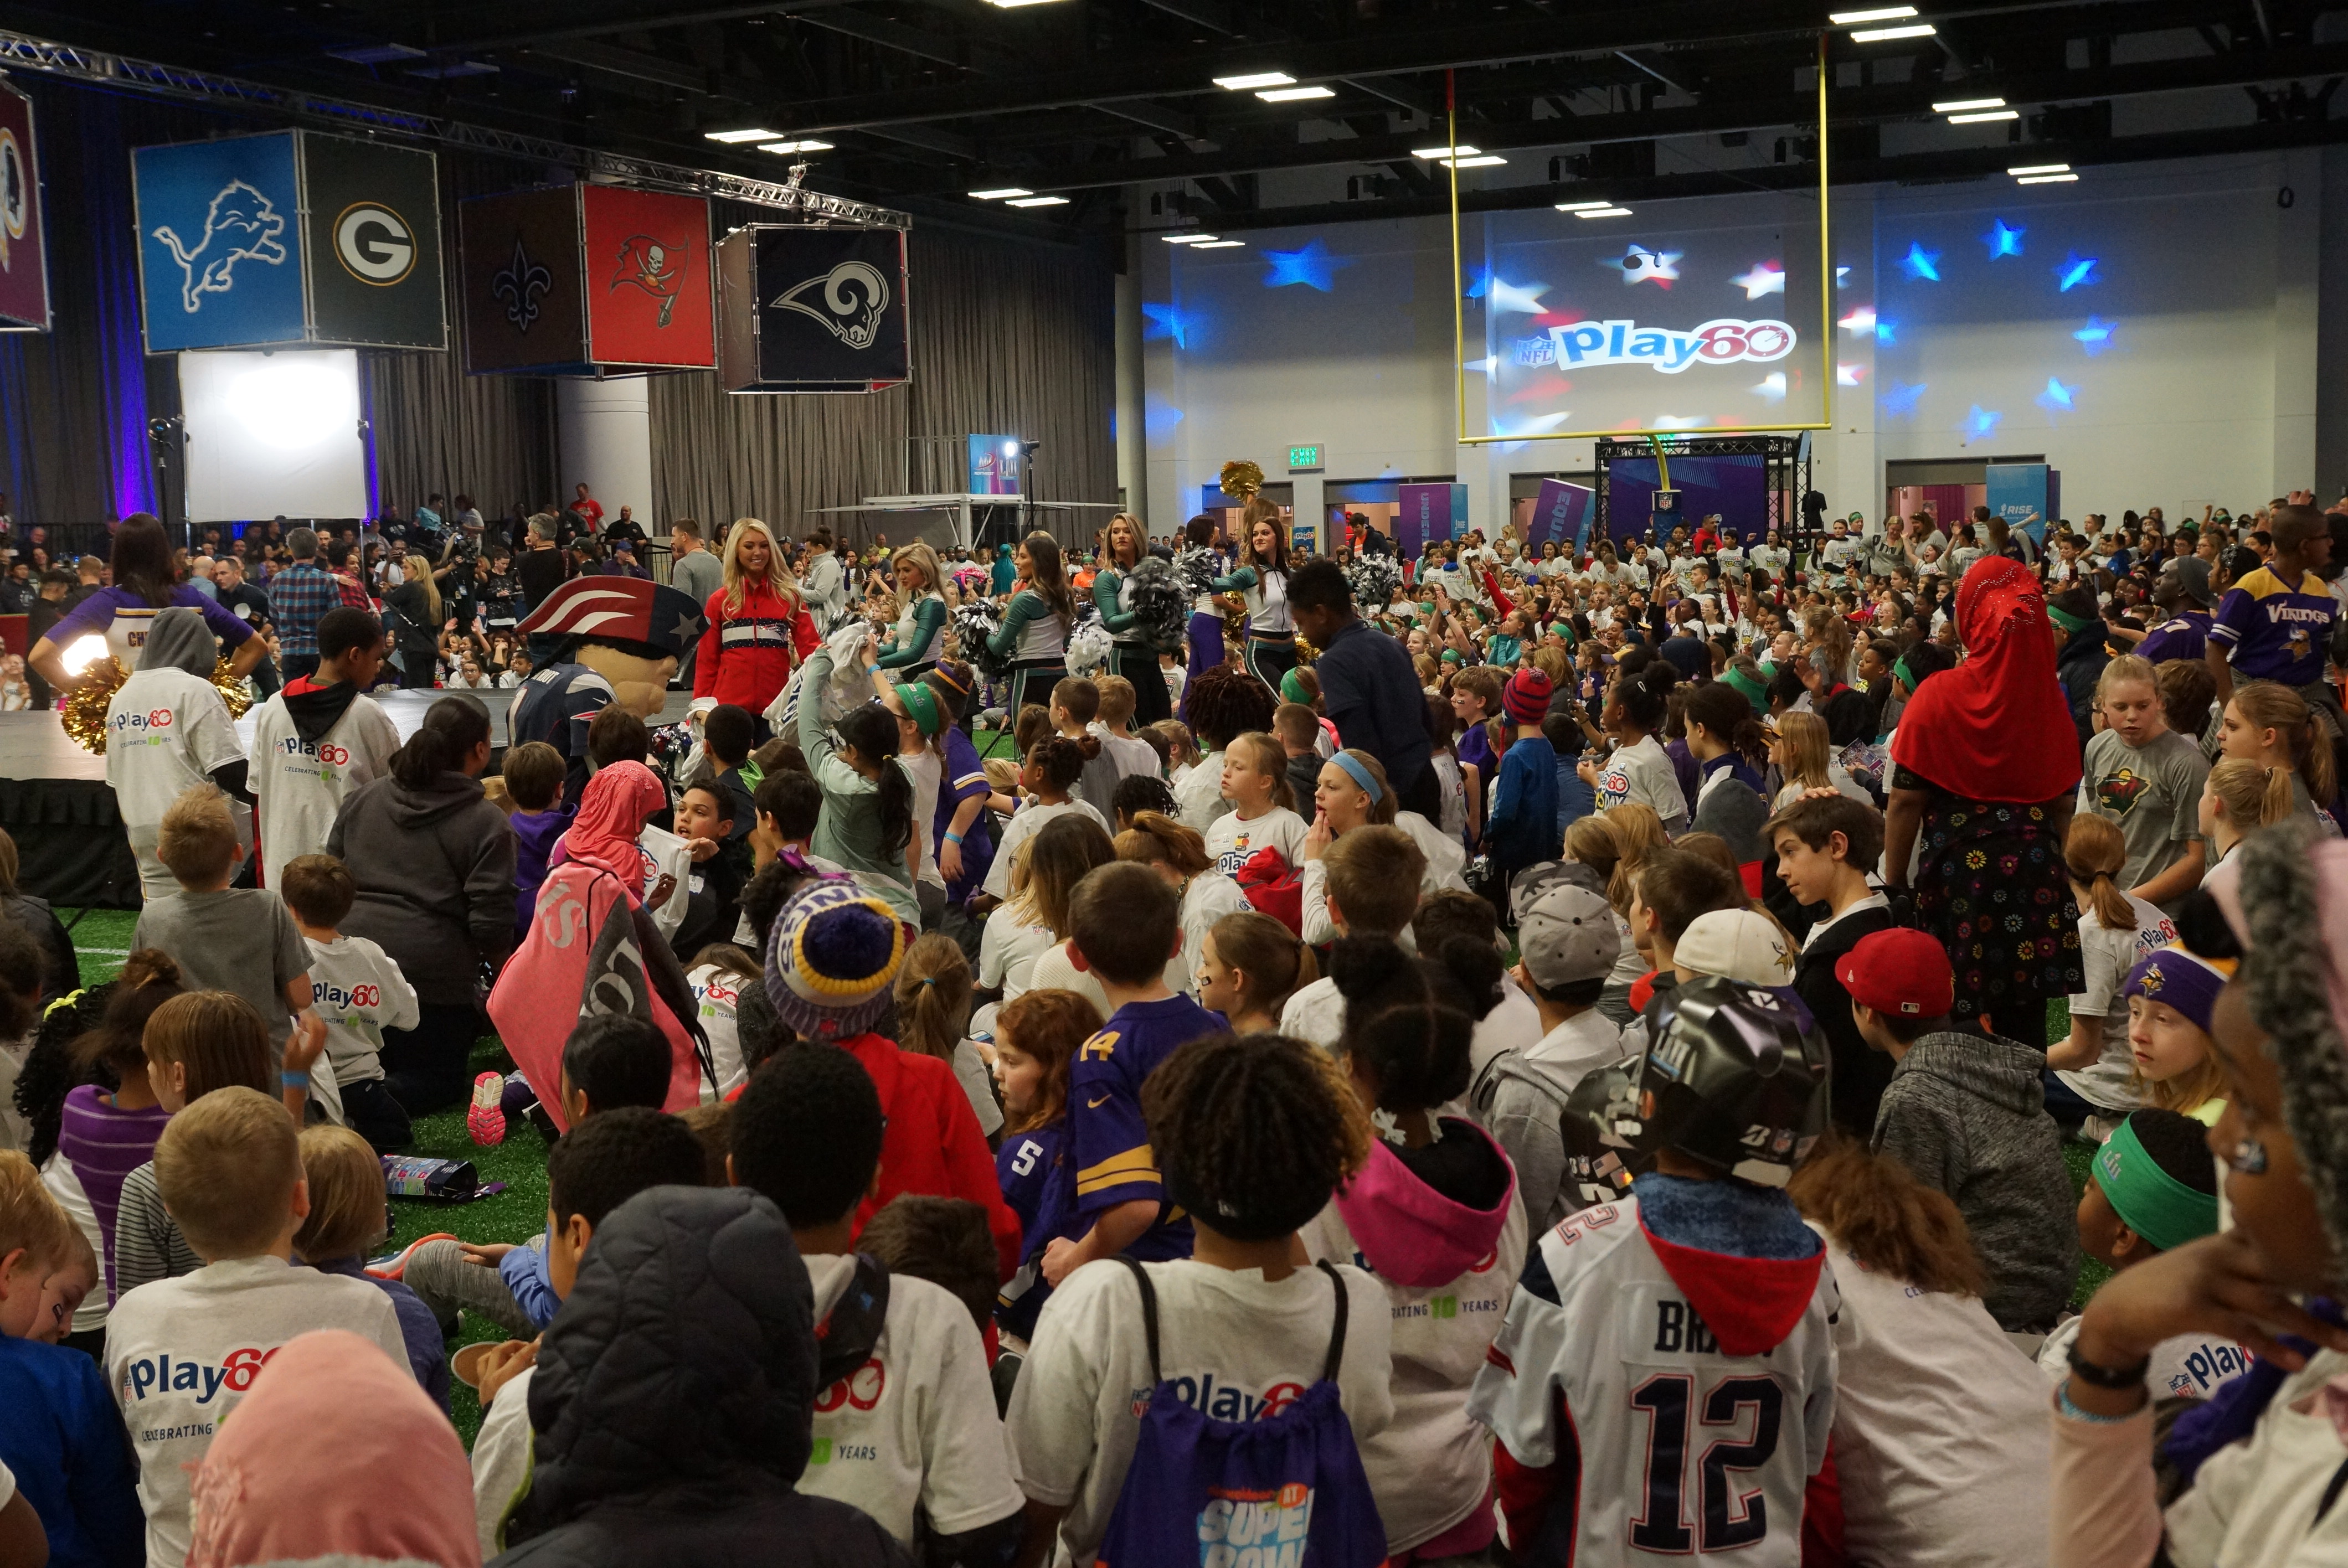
point(2147, 780)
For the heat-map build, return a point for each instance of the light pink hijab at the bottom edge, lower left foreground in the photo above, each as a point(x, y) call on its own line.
point(335, 1459)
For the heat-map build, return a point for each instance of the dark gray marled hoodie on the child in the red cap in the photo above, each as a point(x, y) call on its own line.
point(1966, 1114)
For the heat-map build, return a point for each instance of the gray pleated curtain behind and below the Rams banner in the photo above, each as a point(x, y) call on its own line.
point(1008, 339)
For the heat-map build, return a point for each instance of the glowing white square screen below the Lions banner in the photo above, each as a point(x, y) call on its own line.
point(274, 435)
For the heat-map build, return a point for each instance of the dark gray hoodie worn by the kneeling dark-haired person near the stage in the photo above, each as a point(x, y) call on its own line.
point(436, 874)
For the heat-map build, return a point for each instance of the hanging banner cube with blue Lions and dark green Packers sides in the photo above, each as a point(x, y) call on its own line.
point(288, 238)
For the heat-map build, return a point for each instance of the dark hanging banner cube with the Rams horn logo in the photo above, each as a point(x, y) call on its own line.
point(814, 309)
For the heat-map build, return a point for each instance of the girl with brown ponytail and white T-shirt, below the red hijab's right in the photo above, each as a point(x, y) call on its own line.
point(2093, 1067)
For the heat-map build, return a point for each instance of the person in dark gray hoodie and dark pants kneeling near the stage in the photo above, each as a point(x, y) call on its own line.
point(436, 872)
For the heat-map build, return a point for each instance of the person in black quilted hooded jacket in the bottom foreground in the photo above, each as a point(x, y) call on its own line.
point(675, 1403)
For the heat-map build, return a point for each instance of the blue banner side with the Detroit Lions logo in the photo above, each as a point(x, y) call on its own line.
point(220, 243)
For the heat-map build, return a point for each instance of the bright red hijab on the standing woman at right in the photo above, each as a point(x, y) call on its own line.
point(1997, 726)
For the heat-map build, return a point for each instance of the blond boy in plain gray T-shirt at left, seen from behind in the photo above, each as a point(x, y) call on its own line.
point(238, 940)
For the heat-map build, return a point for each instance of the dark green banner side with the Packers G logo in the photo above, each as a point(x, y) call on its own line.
point(375, 245)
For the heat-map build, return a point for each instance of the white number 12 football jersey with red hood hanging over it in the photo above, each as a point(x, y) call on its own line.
point(1657, 1400)
